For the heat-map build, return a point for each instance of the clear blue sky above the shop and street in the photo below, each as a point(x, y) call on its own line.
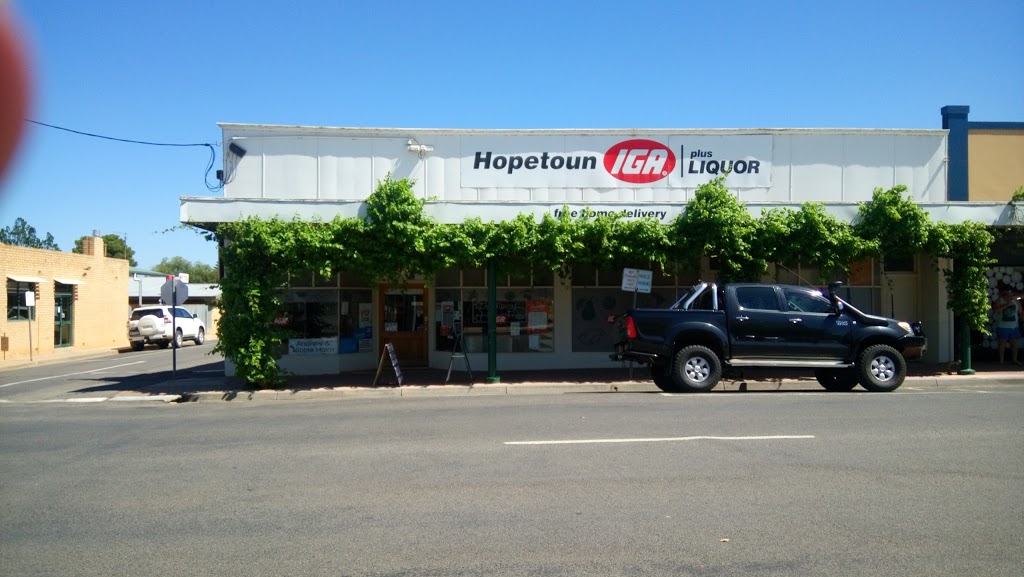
point(168, 72)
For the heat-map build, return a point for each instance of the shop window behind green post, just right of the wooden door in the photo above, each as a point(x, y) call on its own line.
point(525, 316)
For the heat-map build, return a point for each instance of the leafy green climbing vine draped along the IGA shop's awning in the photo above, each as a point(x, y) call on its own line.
point(397, 241)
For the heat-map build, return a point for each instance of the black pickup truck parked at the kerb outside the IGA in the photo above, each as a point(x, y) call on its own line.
point(717, 327)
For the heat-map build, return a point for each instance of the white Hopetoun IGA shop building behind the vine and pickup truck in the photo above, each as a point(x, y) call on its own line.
point(324, 173)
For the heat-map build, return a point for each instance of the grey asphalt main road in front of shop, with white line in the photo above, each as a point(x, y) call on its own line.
point(915, 484)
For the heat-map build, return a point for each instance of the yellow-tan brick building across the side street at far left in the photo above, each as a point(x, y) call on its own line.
point(88, 295)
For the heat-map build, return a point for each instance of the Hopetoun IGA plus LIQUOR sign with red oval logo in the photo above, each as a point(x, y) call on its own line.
point(610, 162)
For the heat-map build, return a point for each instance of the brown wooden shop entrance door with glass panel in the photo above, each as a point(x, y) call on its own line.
point(404, 320)
